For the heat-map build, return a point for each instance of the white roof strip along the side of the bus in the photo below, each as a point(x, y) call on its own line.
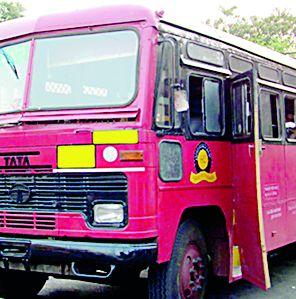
point(235, 41)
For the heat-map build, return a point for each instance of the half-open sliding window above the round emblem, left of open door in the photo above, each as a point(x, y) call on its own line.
point(205, 109)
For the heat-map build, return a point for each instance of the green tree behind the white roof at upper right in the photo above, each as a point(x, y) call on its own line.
point(276, 31)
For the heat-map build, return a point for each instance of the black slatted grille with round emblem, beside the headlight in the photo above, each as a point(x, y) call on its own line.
point(62, 192)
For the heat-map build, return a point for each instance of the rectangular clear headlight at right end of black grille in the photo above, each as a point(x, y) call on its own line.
point(108, 213)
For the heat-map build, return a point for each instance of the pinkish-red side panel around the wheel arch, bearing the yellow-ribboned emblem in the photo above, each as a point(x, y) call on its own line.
point(177, 197)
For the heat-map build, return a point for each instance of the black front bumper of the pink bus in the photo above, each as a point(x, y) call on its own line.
point(65, 258)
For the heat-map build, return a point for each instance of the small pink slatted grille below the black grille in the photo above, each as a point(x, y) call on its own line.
point(27, 220)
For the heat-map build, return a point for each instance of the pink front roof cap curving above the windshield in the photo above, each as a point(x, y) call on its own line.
point(76, 19)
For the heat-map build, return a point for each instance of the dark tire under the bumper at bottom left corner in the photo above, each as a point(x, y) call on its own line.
point(15, 285)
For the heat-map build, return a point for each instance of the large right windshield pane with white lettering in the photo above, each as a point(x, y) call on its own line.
point(85, 70)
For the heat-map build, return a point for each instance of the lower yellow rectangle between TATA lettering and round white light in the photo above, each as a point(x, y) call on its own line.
point(76, 156)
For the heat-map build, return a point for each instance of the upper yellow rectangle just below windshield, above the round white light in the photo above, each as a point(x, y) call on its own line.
point(116, 137)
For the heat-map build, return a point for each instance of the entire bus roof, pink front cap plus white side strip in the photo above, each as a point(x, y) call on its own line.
point(123, 14)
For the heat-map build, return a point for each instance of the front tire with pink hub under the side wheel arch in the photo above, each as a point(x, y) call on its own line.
point(186, 275)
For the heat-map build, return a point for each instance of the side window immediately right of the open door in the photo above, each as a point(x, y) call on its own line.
point(270, 118)
